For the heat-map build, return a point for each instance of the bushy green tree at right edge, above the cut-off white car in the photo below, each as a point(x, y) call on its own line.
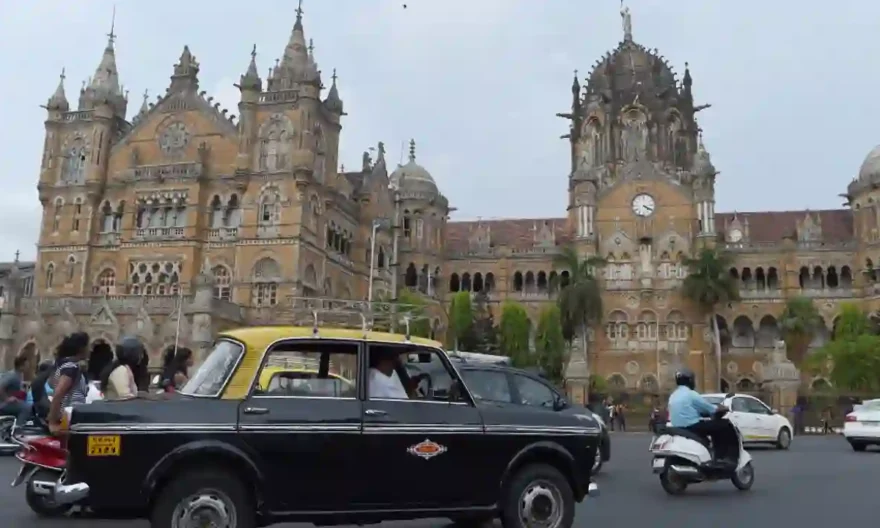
point(854, 353)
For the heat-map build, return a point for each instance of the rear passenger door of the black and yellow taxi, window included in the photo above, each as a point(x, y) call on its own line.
point(305, 433)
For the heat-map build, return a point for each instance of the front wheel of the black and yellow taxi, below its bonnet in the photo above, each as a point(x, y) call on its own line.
point(538, 495)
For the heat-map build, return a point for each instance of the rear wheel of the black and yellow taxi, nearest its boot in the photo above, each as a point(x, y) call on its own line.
point(204, 498)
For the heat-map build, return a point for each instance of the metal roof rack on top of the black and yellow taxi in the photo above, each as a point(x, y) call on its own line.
point(363, 315)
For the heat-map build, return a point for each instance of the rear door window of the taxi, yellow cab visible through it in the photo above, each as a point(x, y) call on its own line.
point(309, 369)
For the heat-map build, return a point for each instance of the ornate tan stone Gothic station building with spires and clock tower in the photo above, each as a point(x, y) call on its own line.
point(180, 203)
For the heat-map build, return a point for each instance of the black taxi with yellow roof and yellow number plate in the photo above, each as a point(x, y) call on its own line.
point(326, 426)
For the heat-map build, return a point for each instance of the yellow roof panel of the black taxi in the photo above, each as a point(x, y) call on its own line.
point(260, 337)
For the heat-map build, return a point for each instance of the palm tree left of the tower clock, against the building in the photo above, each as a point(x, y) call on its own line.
point(580, 301)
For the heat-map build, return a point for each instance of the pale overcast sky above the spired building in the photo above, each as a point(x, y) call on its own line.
point(477, 83)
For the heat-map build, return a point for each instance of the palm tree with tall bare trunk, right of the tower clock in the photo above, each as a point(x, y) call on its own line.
point(710, 284)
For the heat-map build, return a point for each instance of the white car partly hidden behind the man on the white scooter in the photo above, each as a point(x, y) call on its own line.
point(757, 423)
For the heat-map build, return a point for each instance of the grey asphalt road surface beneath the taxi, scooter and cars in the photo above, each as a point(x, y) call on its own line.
point(820, 482)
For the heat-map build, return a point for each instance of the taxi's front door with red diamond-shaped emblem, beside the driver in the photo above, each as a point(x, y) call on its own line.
point(420, 452)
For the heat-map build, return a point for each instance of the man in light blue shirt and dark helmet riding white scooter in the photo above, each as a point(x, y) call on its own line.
point(686, 408)
